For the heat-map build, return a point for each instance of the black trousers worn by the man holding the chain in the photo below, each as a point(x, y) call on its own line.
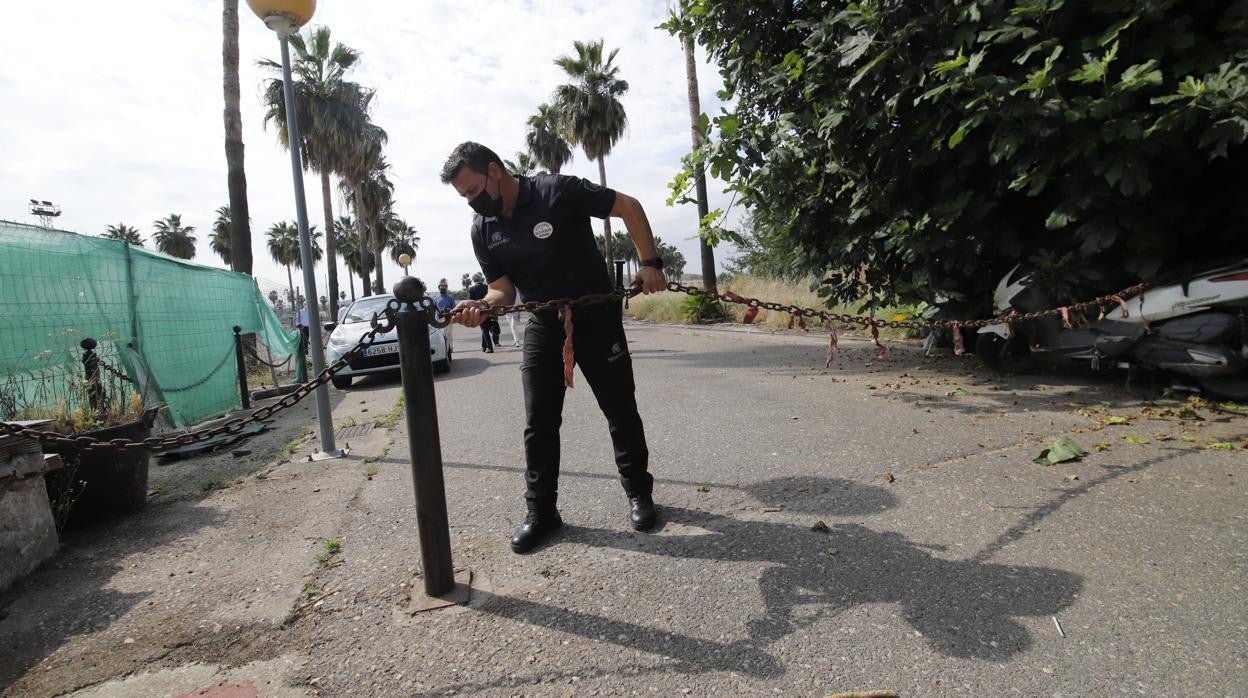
point(602, 353)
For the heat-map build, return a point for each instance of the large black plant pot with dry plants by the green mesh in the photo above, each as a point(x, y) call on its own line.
point(105, 484)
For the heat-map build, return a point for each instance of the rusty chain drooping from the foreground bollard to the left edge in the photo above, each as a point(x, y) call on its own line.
point(232, 426)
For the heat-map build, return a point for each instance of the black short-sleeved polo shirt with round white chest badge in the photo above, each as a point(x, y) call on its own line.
point(547, 248)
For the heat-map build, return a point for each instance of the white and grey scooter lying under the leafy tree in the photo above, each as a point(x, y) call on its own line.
point(1196, 328)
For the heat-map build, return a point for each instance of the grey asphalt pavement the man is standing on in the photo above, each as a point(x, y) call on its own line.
point(878, 525)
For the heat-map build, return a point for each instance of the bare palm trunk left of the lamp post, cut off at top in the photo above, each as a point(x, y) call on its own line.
point(236, 178)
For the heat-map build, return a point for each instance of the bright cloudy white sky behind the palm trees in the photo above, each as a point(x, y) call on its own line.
point(114, 111)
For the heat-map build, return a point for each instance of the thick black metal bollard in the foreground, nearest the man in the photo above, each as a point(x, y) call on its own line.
point(425, 448)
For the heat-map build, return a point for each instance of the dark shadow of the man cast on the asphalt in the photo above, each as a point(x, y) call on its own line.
point(964, 609)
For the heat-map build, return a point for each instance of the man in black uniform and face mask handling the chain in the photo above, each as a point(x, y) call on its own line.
point(534, 235)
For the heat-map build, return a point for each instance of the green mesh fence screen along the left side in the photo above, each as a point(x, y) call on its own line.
point(167, 325)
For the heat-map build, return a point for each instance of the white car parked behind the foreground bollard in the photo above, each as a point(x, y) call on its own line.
point(383, 355)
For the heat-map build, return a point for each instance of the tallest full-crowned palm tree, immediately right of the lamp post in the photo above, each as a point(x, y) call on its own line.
point(331, 109)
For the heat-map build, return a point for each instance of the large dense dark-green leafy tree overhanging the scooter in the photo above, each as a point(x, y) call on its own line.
point(924, 149)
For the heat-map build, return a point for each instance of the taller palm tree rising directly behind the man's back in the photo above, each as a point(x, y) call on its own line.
point(591, 113)
